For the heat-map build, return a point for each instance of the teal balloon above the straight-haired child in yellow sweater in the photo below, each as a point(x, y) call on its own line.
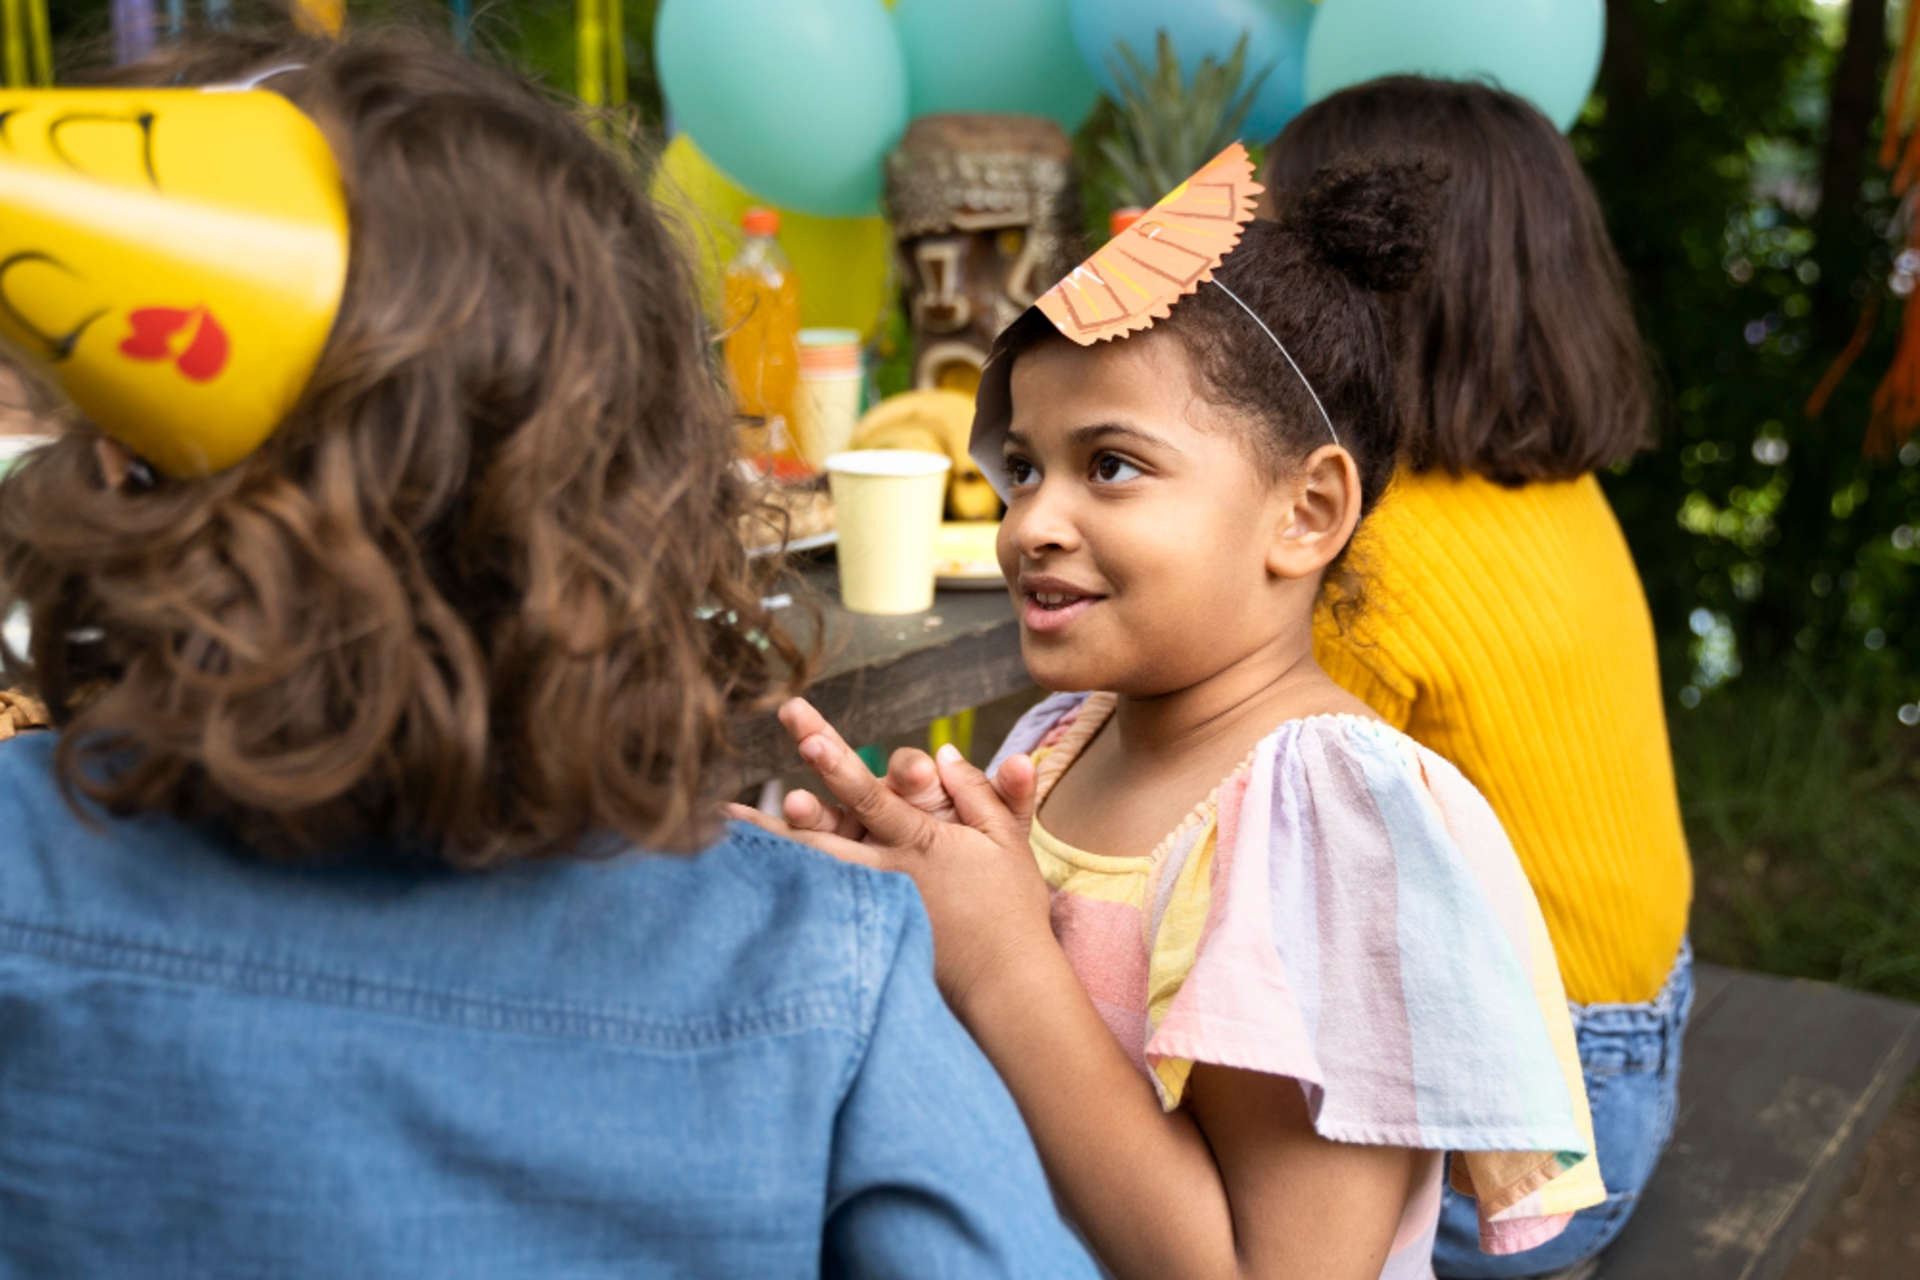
point(1545, 51)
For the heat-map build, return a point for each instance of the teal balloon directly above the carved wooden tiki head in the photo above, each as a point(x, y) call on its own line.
point(996, 57)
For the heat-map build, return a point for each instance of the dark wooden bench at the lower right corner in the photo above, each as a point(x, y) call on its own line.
point(1781, 1089)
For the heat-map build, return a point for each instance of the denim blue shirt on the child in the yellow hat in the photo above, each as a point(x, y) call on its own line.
point(717, 1066)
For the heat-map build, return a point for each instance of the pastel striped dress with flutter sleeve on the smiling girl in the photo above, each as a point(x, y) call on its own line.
point(1343, 911)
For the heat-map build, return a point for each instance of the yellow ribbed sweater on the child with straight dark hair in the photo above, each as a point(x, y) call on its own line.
point(1508, 632)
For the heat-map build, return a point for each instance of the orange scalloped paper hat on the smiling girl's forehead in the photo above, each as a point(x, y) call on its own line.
point(1130, 283)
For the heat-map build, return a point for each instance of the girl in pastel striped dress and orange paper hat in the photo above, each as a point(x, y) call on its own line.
point(1251, 960)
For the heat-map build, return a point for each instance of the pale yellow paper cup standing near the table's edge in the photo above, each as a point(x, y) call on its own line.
point(888, 511)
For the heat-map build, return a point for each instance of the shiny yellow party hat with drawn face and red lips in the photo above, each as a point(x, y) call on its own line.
point(172, 258)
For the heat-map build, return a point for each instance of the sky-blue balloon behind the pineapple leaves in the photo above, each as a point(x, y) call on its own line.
point(1276, 37)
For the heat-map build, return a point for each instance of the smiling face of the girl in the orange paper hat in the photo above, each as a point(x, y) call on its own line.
point(1141, 523)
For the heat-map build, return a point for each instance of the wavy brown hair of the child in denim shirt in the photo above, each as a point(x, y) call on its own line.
point(481, 598)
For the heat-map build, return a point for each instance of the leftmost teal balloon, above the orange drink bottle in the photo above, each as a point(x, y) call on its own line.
point(798, 103)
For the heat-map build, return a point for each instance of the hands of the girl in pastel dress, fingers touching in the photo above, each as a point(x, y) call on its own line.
point(976, 876)
